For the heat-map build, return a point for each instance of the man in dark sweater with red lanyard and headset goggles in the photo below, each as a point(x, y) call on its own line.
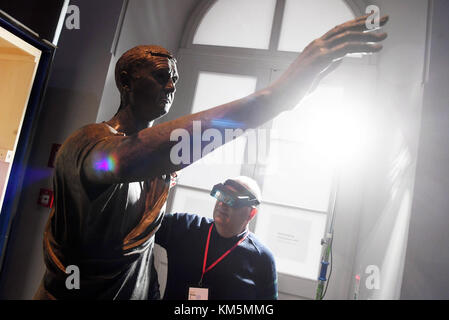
point(219, 259)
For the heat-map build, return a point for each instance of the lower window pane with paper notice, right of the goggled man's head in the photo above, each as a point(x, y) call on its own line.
point(294, 236)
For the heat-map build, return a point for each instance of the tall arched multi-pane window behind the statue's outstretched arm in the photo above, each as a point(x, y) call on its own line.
point(232, 48)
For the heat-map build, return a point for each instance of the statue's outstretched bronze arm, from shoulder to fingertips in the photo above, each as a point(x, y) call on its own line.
point(147, 154)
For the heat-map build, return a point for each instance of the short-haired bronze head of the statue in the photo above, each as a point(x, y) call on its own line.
point(146, 76)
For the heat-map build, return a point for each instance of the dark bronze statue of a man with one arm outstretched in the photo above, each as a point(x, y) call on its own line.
point(112, 179)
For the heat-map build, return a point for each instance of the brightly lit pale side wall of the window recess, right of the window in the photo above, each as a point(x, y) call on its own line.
point(390, 174)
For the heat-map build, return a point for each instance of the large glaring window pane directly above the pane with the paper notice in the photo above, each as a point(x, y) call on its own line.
point(302, 155)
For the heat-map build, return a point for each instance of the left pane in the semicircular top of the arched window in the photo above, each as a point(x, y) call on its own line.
point(237, 23)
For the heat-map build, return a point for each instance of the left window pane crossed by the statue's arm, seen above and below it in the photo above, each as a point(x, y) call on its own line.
point(214, 89)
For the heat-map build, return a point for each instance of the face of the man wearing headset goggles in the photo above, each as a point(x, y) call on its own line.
point(230, 221)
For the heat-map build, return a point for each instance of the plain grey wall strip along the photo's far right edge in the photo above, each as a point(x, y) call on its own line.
point(427, 259)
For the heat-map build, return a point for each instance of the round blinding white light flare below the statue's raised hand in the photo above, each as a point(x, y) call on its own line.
point(332, 125)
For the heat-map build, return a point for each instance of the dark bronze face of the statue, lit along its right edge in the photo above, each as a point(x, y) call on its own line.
point(153, 88)
